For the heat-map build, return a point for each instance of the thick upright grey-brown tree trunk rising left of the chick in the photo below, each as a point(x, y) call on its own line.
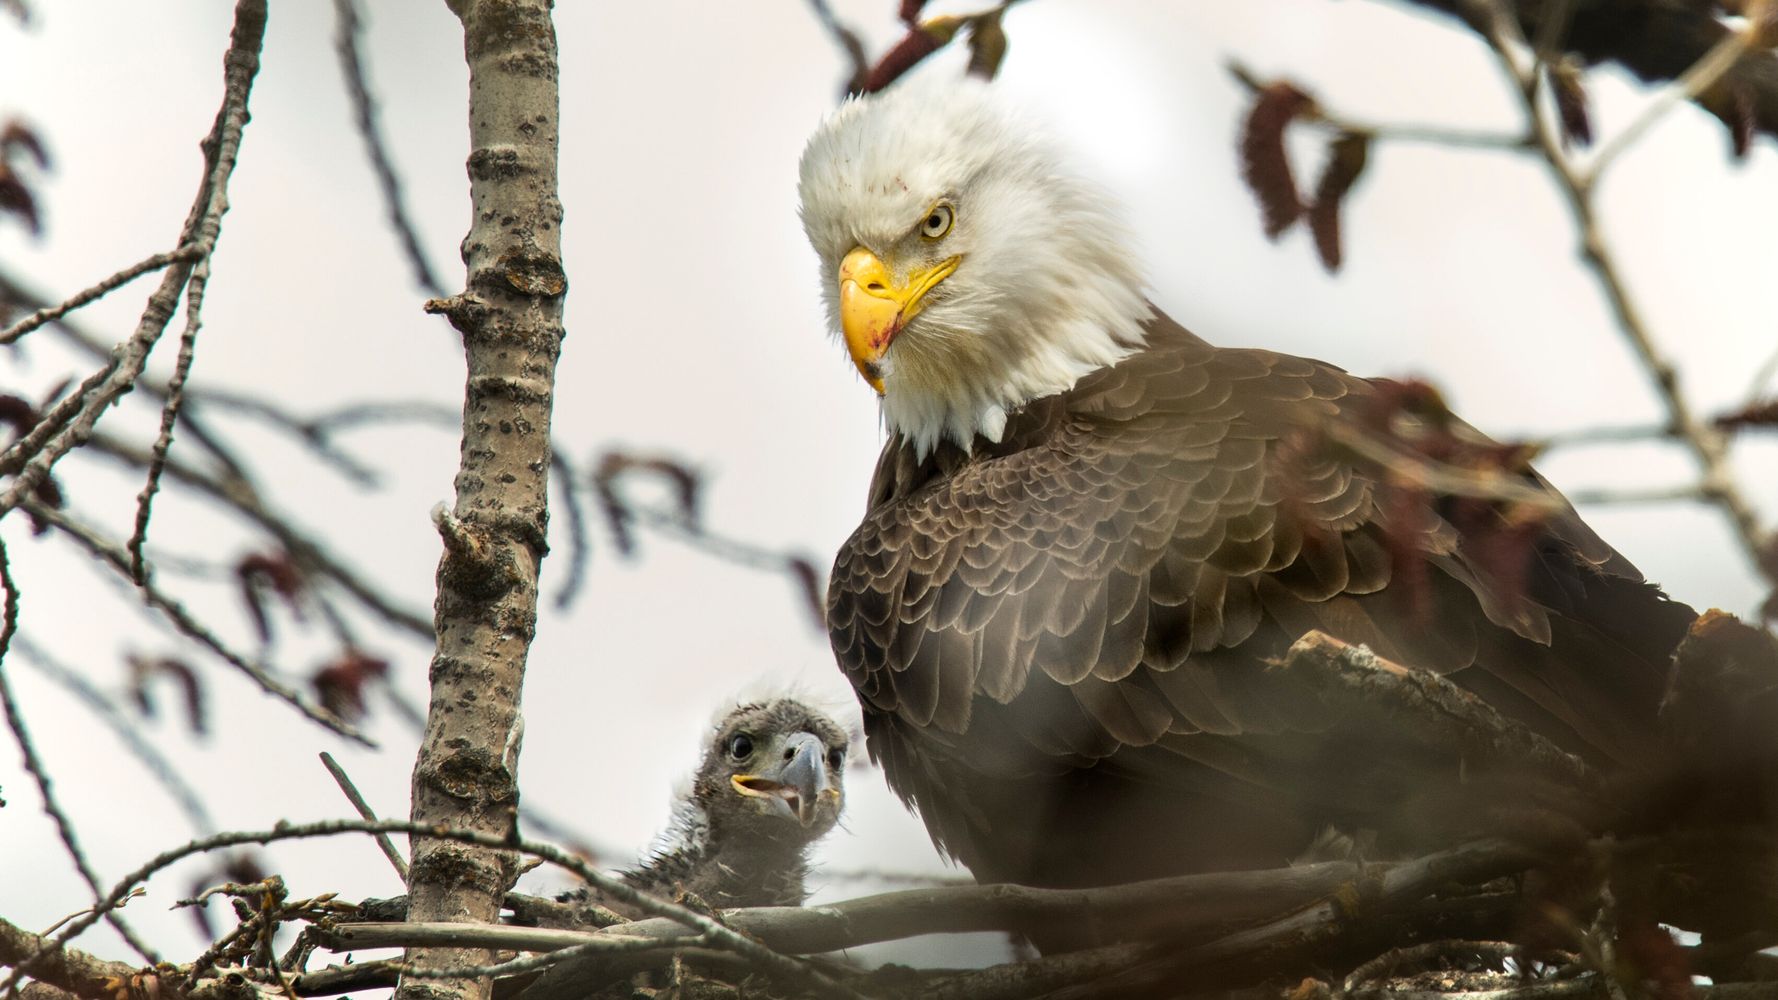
point(486, 615)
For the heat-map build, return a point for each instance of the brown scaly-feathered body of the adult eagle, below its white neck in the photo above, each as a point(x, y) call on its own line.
point(1061, 640)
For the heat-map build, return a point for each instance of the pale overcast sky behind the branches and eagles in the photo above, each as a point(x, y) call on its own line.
point(694, 330)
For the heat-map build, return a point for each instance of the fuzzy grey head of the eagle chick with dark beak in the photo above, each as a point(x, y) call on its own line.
point(774, 771)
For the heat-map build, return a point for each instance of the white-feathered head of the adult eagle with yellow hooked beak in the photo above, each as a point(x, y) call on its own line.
point(966, 266)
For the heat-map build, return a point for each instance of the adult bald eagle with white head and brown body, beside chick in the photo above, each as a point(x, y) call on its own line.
point(1091, 533)
